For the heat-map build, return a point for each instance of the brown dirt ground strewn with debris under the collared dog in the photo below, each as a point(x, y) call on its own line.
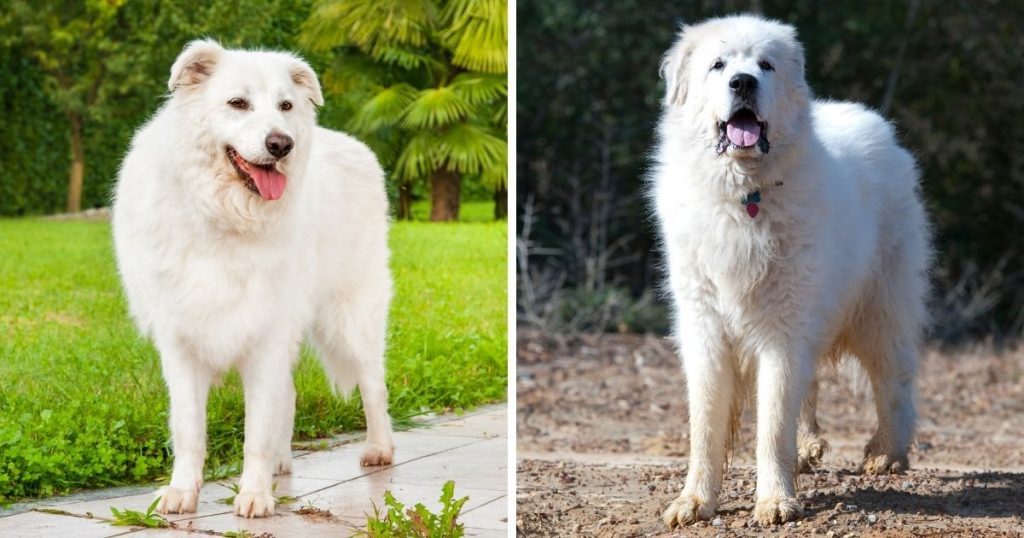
point(603, 444)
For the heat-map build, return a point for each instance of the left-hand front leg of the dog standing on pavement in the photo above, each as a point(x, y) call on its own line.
point(189, 384)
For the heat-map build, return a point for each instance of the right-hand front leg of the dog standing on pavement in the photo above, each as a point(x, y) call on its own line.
point(270, 394)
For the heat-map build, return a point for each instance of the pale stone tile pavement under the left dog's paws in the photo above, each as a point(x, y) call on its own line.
point(472, 450)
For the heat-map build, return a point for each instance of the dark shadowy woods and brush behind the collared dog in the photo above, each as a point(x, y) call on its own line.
point(949, 74)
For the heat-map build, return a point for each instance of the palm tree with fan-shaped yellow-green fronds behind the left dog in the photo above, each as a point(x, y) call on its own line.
point(430, 80)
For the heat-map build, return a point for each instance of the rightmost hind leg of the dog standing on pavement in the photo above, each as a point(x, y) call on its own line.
point(351, 336)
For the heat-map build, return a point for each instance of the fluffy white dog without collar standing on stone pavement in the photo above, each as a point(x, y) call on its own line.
point(240, 228)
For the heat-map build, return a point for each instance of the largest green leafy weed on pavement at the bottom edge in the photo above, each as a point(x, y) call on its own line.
point(418, 522)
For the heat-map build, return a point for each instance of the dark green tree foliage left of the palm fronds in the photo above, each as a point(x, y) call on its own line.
point(122, 62)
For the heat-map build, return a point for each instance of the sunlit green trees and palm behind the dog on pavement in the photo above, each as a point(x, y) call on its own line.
point(422, 82)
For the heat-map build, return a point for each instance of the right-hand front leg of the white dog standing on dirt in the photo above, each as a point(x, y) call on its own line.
point(784, 378)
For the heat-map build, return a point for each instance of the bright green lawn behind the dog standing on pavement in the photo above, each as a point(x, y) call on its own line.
point(82, 401)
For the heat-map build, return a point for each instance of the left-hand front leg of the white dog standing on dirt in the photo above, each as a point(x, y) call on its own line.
point(711, 384)
